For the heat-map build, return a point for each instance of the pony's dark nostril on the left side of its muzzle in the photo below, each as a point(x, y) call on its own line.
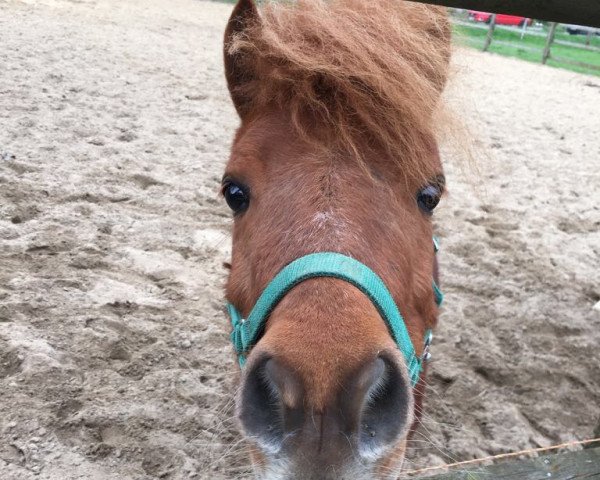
point(268, 406)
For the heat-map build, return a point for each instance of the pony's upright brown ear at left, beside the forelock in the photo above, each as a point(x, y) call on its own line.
point(238, 67)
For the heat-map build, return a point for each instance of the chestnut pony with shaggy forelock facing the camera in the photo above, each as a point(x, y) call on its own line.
point(335, 153)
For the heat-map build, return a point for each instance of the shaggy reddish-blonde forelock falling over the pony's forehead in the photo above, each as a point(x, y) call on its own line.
point(351, 72)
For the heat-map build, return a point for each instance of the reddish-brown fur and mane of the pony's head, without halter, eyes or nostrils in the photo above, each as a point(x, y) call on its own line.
point(327, 90)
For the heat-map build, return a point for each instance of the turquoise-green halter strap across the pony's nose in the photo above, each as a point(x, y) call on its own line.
point(247, 331)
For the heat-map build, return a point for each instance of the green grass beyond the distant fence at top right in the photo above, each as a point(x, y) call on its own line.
point(474, 37)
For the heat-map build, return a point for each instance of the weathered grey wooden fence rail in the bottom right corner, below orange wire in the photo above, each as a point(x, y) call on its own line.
point(583, 464)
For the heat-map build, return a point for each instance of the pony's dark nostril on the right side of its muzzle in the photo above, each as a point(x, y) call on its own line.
point(381, 407)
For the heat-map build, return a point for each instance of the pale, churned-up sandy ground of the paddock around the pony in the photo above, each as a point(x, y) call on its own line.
point(114, 353)
